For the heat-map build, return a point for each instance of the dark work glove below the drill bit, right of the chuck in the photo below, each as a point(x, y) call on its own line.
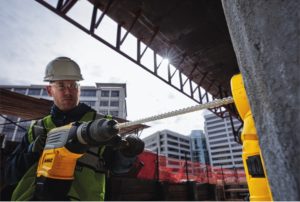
point(134, 146)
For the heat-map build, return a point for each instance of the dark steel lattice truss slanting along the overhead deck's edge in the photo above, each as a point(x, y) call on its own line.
point(64, 6)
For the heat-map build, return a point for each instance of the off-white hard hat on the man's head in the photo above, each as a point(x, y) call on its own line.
point(62, 68)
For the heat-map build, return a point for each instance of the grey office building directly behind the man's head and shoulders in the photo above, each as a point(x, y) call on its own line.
point(105, 98)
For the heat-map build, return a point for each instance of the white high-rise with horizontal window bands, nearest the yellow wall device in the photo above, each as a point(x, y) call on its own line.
point(223, 150)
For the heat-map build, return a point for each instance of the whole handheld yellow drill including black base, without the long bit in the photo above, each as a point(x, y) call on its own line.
point(64, 145)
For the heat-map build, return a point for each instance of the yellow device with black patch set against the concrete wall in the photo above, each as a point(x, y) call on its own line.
point(257, 180)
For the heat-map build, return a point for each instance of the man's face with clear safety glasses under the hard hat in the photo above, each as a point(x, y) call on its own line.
point(65, 94)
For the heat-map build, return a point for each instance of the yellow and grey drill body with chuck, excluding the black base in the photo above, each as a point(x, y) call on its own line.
point(64, 145)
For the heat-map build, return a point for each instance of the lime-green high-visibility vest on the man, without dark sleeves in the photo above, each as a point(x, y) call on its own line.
point(89, 176)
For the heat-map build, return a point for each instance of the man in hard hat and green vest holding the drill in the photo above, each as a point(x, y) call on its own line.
point(63, 75)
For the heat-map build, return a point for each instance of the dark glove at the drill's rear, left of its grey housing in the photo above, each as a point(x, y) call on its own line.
point(39, 142)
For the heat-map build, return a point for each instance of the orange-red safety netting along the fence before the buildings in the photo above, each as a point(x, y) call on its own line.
point(174, 170)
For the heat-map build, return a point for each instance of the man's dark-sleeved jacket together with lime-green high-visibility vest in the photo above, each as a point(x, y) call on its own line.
point(89, 176)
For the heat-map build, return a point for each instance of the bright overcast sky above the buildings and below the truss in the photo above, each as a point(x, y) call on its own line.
point(32, 35)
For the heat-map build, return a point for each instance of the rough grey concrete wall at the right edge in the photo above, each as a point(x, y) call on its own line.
point(266, 39)
